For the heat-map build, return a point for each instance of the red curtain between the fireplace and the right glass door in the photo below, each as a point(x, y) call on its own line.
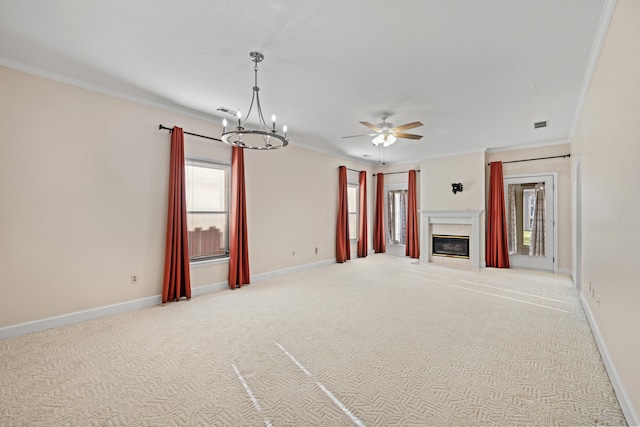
point(497, 246)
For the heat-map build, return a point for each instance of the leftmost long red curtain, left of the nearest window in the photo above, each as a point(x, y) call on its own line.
point(177, 280)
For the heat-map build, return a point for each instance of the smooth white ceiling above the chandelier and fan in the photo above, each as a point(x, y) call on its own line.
point(478, 74)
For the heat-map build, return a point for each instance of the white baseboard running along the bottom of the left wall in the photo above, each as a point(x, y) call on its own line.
point(108, 310)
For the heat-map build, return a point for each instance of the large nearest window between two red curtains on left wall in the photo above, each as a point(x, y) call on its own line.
point(207, 188)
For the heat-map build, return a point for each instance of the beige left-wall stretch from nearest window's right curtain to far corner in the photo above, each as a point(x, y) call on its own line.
point(292, 206)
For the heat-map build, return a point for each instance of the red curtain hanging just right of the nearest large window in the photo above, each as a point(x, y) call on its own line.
point(238, 238)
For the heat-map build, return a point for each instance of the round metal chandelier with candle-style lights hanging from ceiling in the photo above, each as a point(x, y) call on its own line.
point(264, 138)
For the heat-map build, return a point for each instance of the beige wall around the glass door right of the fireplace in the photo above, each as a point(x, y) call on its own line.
point(564, 188)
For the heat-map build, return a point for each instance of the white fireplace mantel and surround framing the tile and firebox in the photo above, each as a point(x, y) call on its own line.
point(468, 217)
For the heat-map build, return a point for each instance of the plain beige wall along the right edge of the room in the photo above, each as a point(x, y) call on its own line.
point(607, 143)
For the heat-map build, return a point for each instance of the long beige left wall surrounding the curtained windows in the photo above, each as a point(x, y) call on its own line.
point(84, 178)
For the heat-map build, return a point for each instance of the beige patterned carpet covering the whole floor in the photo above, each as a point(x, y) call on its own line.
point(376, 341)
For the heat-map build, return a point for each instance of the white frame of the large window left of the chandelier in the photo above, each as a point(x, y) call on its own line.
point(220, 165)
